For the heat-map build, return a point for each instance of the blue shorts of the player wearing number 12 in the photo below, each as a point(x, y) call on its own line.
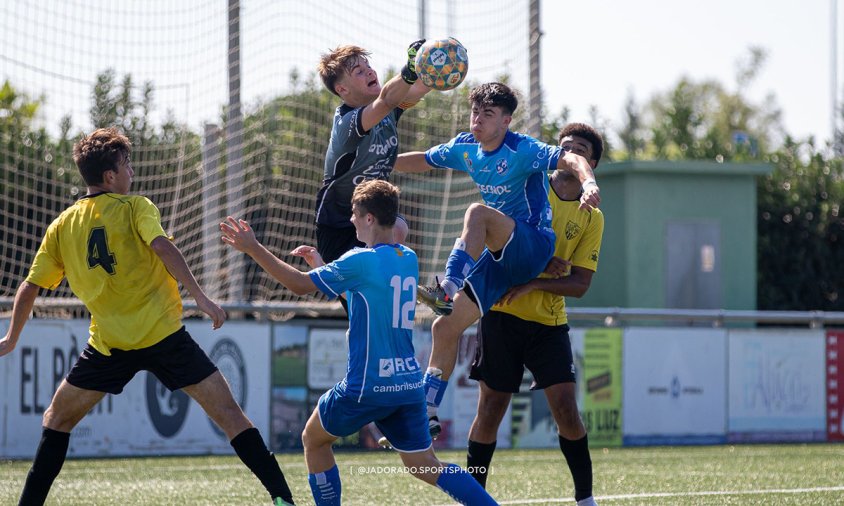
point(405, 425)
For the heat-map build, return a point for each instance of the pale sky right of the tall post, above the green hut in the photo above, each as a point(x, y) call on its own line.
point(647, 45)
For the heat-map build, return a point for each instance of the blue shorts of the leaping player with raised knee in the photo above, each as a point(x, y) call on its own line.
point(523, 258)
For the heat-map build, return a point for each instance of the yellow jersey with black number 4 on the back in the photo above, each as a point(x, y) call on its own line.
point(101, 244)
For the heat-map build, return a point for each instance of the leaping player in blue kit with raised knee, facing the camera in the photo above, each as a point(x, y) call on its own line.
point(507, 240)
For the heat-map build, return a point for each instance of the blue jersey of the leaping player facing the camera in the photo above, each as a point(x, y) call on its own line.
point(511, 179)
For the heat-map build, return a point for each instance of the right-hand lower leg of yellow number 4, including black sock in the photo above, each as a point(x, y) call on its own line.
point(215, 397)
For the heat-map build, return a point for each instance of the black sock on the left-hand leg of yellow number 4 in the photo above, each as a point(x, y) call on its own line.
point(48, 461)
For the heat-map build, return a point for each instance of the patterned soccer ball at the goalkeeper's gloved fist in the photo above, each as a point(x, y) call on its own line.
point(442, 64)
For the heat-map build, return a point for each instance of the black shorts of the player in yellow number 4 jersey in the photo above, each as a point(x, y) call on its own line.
point(177, 361)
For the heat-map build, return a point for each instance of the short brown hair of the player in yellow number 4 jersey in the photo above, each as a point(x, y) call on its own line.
point(100, 151)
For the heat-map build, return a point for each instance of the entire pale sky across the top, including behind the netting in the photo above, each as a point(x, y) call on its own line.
point(593, 52)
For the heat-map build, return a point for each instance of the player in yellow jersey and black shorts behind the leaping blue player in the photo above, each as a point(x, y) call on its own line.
point(529, 328)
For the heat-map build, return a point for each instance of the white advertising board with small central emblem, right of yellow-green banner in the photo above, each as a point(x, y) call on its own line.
point(674, 386)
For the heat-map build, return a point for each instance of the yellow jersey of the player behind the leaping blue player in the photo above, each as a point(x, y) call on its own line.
point(579, 234)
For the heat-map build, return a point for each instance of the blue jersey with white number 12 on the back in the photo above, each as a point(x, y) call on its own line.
point(381, 288)
